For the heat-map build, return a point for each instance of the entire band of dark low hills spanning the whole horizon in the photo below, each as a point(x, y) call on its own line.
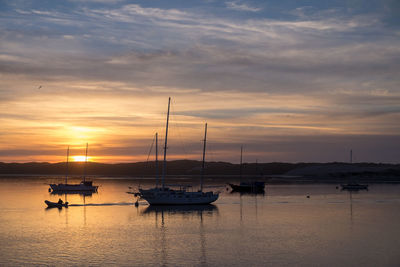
point(274, 171)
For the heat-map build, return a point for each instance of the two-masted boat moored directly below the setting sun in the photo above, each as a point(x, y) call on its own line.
point(83, 186)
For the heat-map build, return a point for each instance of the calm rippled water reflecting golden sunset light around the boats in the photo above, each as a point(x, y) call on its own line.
point(282, 227)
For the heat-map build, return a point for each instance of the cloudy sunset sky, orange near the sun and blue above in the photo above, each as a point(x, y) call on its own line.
point(291, 81)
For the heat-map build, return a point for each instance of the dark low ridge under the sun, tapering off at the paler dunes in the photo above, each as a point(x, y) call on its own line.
point(178, 167)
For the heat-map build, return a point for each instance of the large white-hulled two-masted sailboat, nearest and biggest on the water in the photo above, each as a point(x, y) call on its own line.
point(166, 196)
